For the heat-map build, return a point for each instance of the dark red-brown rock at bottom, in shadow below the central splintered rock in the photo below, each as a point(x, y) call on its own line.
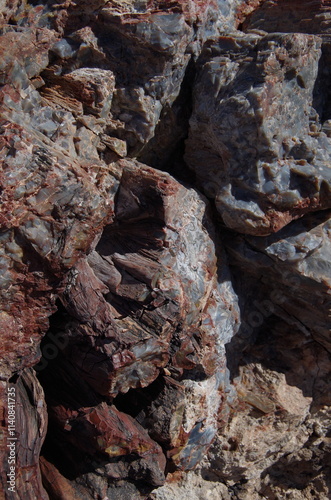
point(111, 444)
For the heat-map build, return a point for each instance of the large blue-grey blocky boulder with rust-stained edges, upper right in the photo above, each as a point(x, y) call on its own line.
point(261, 173)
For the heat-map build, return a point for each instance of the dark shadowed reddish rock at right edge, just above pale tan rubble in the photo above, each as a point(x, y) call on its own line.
point(282, 348)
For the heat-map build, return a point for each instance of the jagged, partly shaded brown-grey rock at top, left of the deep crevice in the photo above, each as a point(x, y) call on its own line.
point(145, 46)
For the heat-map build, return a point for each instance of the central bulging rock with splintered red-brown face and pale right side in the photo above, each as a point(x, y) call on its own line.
point(137, 287)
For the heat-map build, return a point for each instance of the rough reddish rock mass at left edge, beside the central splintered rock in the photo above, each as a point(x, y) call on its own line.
point(41, 236)
